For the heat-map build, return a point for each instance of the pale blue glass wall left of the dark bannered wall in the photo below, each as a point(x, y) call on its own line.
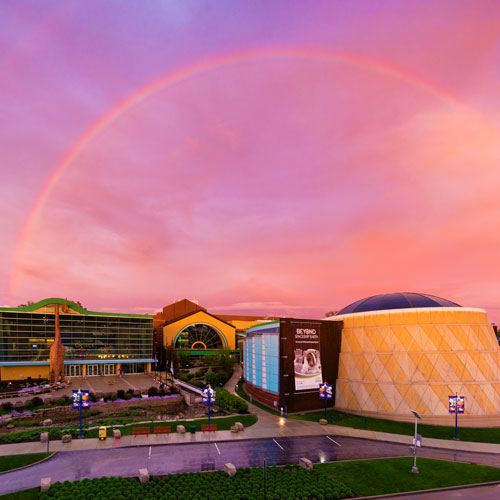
point(261, 357)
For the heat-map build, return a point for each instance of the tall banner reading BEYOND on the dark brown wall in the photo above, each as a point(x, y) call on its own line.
point(307, 359)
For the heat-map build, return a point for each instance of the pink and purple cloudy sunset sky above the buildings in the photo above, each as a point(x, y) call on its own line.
point(285, 157)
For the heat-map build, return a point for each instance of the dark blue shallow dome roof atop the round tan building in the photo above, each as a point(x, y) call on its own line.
point(405, 300)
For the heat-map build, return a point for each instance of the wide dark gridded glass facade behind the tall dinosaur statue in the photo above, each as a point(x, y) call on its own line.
point(27, 336)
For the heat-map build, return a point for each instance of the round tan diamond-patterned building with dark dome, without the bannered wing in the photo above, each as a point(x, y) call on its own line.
point(410, 351)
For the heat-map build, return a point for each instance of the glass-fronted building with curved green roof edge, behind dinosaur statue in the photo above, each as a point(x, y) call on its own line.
point(95, 343)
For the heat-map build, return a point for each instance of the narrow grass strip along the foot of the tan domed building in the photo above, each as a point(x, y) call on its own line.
point(480, 435)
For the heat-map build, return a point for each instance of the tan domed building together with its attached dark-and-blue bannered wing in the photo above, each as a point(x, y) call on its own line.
point(385, 355)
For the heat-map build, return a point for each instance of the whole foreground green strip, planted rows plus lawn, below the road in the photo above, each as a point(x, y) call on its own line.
point(325, 482)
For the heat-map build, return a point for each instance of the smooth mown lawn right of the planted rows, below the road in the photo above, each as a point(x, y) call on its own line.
point(393, 475)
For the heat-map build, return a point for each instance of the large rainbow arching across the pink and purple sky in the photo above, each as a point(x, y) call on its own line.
point(193, 70)
